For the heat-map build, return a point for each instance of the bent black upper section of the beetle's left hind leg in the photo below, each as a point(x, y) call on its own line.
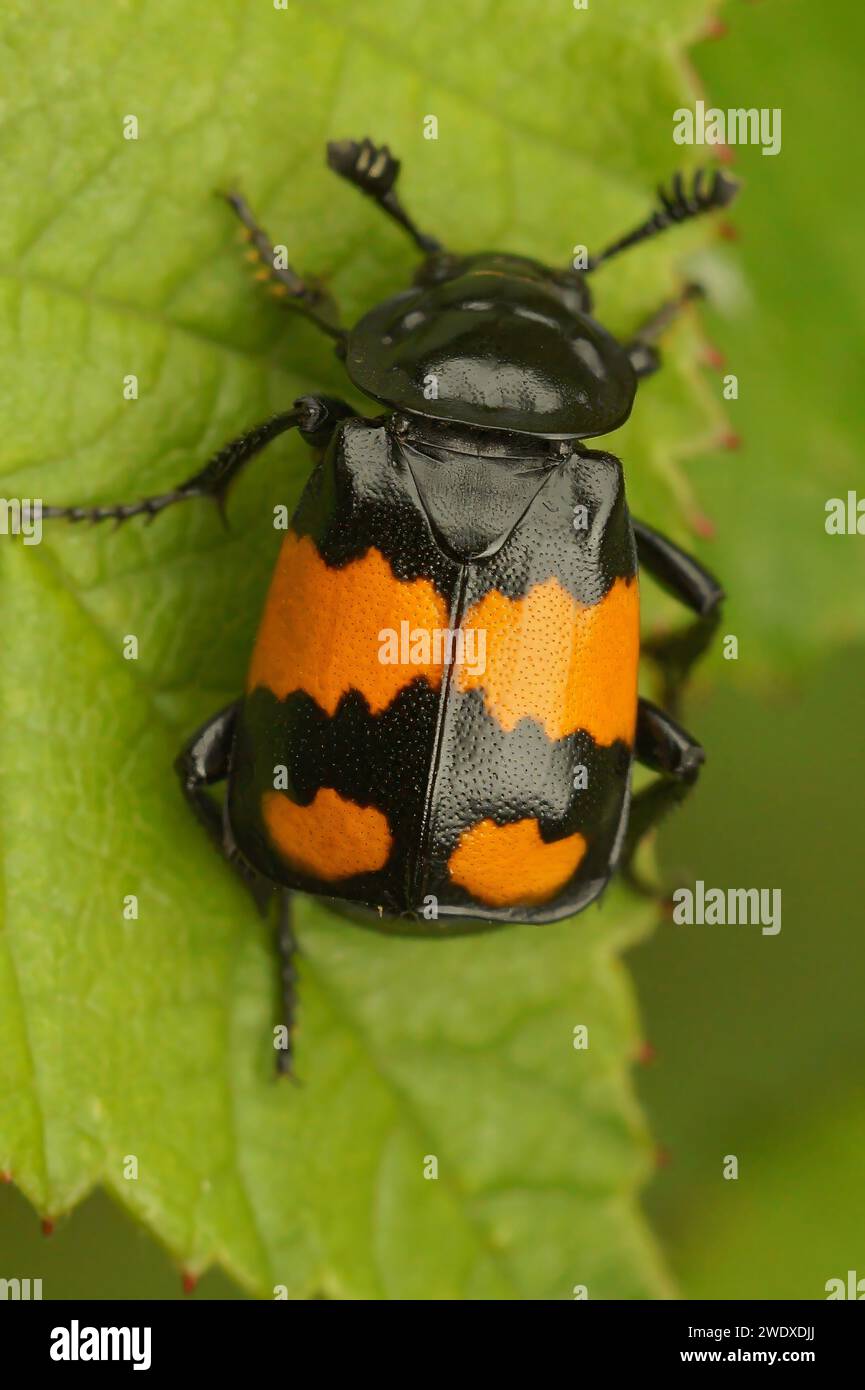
point(204, 762)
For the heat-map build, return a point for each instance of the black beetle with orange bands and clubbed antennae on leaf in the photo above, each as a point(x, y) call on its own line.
point(442, 712)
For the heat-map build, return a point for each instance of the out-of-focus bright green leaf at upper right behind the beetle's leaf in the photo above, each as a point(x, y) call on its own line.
point(798, 281)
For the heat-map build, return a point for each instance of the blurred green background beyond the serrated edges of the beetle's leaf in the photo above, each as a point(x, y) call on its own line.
point(759, 1042)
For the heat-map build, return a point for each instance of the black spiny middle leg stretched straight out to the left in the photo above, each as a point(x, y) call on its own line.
point(316, 418)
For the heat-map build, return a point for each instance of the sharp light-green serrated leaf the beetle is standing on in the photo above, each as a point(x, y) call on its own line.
point(154, 1038)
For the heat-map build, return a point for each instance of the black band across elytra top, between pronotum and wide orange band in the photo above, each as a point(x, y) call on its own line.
point(365, 493)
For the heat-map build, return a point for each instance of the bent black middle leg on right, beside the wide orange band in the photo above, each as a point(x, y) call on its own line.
point(682, 576)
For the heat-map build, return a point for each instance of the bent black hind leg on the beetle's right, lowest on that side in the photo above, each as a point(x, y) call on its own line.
point(667, 749)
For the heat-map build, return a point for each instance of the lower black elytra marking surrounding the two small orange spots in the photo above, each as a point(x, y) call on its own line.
point(383, 761)
